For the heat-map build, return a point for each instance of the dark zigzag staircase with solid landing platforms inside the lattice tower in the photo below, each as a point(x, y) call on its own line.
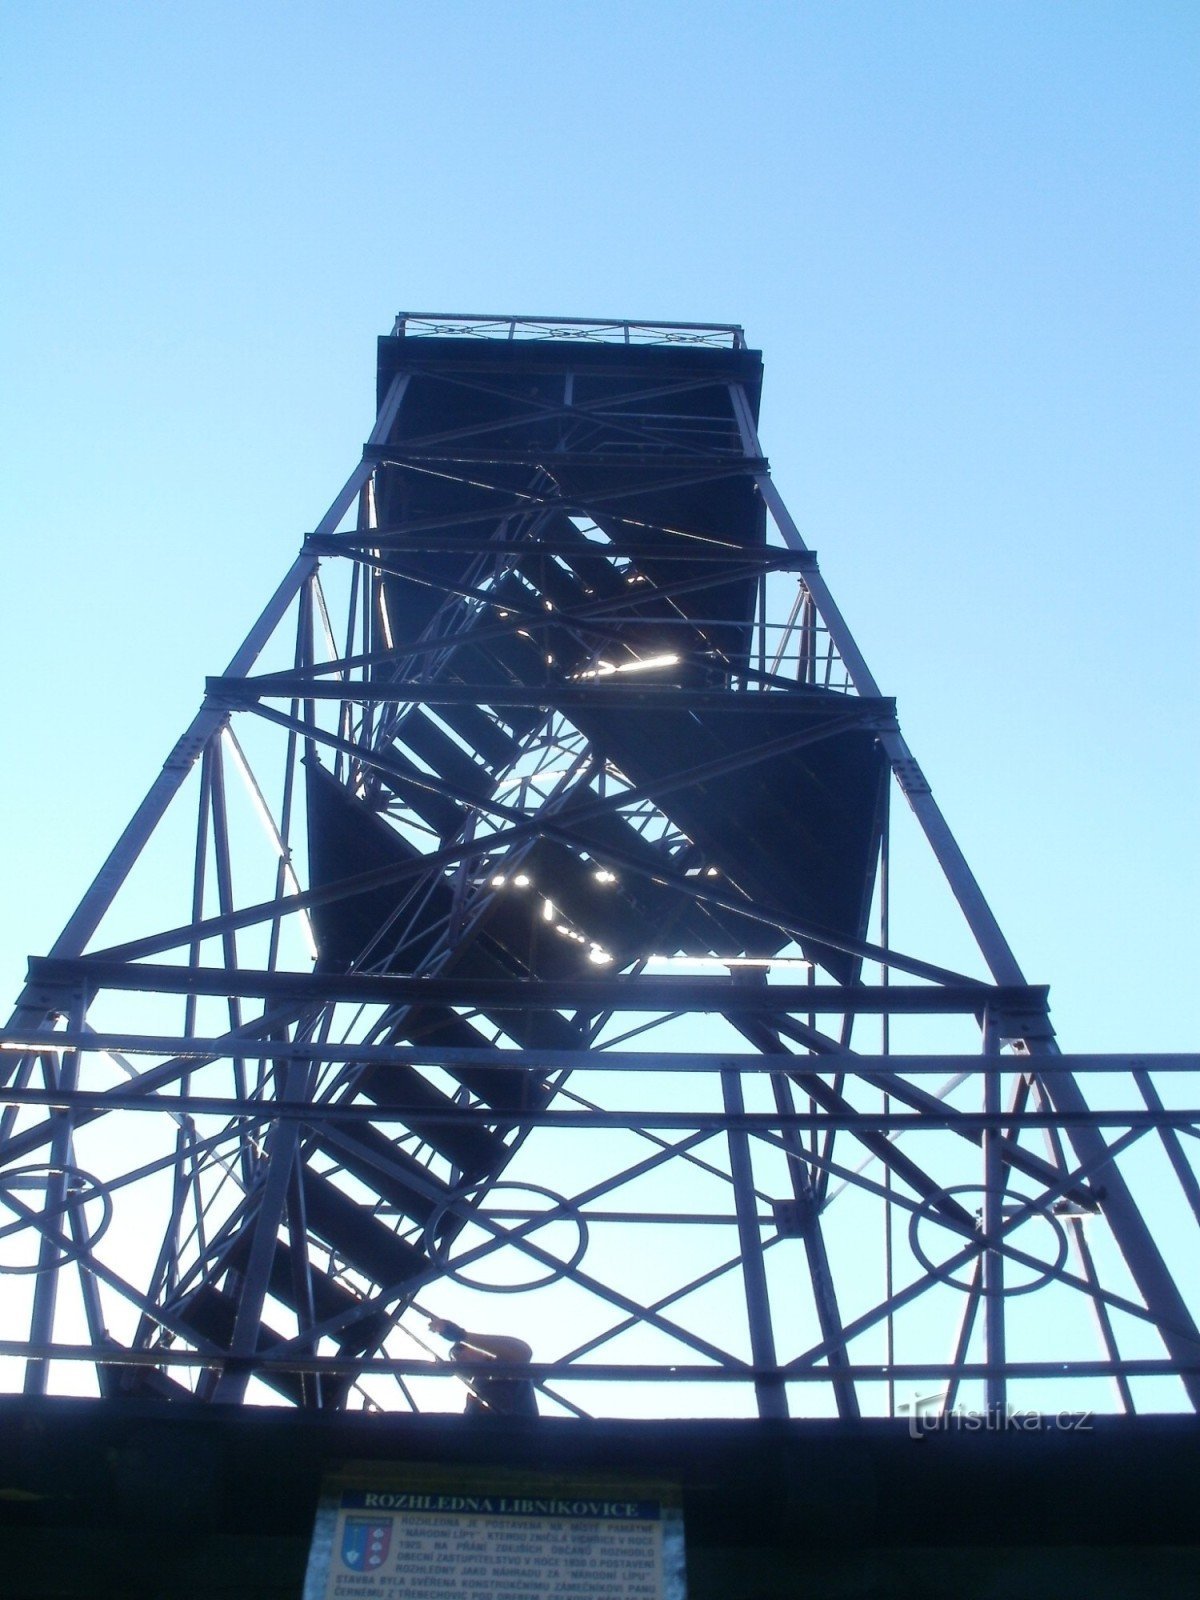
point(551, 526)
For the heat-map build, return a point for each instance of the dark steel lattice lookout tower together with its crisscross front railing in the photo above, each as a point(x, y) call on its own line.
point(516, 934)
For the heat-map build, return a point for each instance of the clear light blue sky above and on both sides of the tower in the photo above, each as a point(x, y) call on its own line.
point(964, 234)
